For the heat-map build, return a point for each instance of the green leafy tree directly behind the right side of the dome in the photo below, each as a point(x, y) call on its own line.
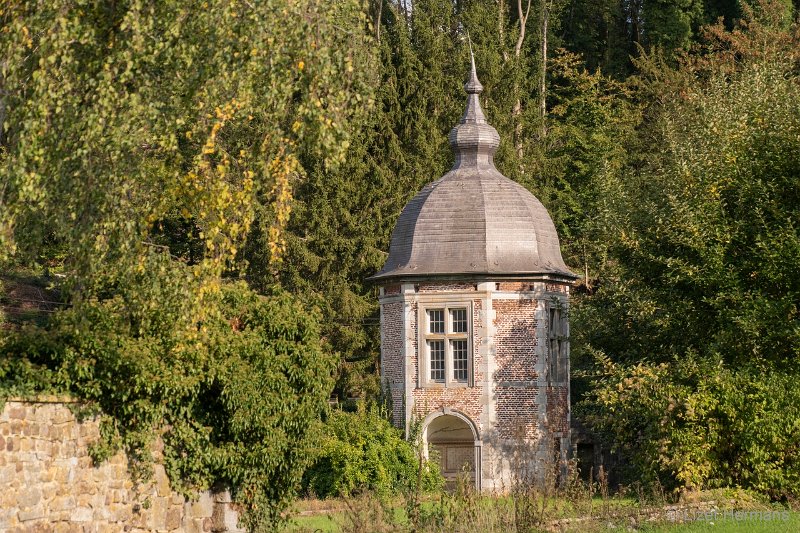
point(591, 128)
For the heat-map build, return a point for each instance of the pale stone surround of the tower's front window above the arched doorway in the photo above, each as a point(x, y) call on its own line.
point(447, 303)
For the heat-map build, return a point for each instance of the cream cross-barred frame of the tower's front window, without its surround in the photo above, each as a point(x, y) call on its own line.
point(426, 335)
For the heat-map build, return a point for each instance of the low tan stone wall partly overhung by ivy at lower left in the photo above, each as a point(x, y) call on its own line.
point(49, 483)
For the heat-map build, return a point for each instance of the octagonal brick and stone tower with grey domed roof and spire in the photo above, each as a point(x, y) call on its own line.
point(474, 324)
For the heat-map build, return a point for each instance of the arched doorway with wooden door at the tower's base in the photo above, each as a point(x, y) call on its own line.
point(451, 439)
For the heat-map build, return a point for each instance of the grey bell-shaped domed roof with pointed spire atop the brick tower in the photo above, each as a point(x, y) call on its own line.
point(474, 220)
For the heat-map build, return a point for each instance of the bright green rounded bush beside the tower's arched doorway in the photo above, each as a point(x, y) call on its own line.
point(362, 451)
